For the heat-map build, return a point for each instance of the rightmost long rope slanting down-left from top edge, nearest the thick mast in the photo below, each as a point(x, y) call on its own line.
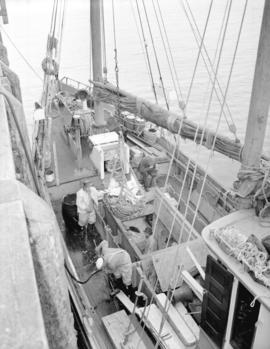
point(226, 91)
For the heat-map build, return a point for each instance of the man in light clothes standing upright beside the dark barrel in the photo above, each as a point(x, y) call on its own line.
point(86, 200)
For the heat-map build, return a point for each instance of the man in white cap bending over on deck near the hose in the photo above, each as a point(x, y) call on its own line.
point(117, 262)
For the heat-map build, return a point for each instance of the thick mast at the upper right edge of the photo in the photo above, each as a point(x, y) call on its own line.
point(260, 98)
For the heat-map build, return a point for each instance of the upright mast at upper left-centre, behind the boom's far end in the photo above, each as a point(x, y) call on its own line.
point(95, 24)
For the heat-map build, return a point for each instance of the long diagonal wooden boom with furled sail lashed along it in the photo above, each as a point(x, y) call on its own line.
point(167, 119)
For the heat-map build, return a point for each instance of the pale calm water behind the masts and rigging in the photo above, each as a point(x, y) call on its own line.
point(29, 23)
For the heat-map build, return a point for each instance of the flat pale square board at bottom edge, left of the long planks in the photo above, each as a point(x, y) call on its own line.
point(117, 324)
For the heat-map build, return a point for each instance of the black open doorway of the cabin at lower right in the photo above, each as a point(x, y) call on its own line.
point(245, 318)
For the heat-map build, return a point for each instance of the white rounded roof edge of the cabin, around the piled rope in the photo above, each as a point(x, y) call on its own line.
point(248, 223)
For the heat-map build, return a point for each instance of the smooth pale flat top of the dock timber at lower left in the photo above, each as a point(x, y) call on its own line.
point(21, 320)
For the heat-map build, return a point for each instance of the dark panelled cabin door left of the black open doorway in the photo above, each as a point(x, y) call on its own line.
point(216, 301)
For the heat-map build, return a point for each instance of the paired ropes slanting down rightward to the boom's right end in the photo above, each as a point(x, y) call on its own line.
point(197, 32)
